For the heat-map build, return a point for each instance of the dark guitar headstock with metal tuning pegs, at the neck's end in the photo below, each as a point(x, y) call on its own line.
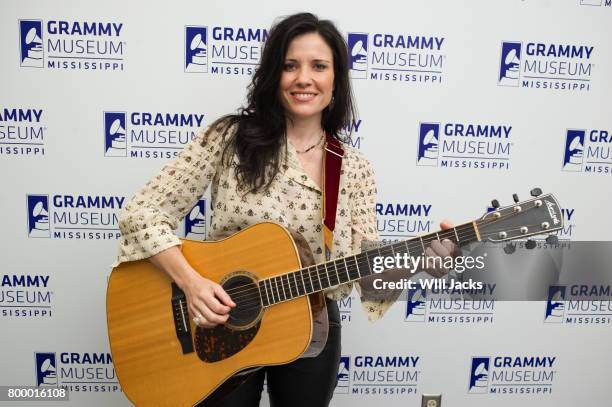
point(540, 215)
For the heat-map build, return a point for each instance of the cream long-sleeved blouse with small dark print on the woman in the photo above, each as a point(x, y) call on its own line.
point(292, 200)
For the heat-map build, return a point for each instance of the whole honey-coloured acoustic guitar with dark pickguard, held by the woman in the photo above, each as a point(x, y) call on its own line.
point(162, 359)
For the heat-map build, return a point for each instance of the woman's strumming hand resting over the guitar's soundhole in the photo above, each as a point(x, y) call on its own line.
point(208, 303)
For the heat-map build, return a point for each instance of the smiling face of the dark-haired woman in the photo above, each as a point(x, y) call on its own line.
point(307, 81)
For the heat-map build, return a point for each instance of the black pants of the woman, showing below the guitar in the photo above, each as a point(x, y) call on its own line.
point(307, 382)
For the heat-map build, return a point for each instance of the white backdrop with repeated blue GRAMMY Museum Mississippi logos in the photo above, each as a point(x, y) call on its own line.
point(460, 102)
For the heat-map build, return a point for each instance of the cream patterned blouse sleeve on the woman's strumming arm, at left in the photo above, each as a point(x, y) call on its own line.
point(148, 219)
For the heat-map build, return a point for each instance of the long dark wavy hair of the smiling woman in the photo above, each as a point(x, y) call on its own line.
point(261, 125)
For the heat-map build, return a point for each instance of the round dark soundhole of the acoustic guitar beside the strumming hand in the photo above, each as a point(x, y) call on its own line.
point(244, 292)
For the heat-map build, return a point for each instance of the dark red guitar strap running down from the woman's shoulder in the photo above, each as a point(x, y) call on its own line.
point(332, 163)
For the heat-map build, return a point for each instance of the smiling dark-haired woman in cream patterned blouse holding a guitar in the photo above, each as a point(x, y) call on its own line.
point(265, 164)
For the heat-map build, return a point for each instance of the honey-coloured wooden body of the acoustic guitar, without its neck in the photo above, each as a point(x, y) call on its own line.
point(163, 359)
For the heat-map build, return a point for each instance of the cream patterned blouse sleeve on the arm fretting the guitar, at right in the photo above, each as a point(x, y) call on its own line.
point(363, 216)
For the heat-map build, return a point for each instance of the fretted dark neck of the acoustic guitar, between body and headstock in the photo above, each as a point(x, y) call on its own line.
point(321, 276)
